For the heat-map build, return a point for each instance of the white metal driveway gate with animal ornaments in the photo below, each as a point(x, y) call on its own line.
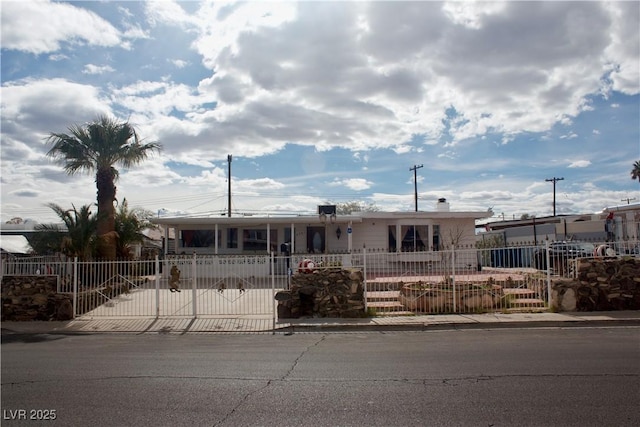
point(178, 286)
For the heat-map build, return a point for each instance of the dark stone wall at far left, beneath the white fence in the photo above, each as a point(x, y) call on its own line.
point(34, 298)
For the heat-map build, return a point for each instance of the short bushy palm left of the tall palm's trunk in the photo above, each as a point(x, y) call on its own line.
point(78, 240)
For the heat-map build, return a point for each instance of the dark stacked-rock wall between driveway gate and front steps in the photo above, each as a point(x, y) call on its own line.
point(323, 293)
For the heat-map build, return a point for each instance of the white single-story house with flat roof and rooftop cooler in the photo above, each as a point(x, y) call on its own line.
point(324, 233)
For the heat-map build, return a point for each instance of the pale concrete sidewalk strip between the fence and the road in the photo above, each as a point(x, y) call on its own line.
point(247, 324)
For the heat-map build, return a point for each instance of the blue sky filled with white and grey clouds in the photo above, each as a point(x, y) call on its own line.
point(328, 102)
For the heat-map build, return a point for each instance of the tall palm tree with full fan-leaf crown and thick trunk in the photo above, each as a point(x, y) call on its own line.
point(97, 147)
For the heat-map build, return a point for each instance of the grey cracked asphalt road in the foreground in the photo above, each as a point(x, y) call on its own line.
point(506, 377)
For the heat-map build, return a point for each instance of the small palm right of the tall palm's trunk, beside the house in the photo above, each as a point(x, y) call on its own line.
point(130, 223)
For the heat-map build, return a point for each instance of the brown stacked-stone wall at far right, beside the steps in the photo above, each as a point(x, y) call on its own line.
point(601, 284)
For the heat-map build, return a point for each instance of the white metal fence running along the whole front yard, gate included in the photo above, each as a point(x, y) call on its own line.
point(458, 280)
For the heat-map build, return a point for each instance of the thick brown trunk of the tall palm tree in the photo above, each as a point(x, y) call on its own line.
point(106, 213)
